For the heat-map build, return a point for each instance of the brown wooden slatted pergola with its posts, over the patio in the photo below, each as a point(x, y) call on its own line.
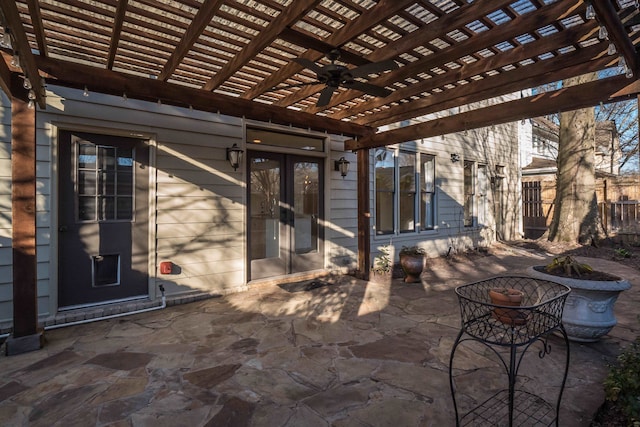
point(235, 57)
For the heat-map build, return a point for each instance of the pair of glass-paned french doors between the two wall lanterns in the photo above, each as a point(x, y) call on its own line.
point(286, 234)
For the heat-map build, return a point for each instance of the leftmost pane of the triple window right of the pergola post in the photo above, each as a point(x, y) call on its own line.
point(385, 186)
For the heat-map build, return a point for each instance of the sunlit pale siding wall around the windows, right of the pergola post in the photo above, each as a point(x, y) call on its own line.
point(497, 146)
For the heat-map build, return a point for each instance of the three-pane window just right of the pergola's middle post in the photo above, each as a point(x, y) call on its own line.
point(405, 191)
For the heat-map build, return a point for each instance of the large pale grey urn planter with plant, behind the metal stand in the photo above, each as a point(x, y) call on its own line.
point(588, 311)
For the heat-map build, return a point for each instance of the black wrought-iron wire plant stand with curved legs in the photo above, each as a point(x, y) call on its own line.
point(515, 329)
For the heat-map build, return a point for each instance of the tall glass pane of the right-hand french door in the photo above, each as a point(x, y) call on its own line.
point(307, 206)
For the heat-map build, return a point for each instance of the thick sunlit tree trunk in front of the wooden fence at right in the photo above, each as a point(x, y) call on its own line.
point(575, 214)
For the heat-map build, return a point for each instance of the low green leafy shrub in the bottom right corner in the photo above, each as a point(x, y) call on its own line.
point(622, 385)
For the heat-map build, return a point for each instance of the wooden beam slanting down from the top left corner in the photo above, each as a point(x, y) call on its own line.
point(27, 59)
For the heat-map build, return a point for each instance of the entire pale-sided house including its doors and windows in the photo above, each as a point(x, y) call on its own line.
point(133, 195)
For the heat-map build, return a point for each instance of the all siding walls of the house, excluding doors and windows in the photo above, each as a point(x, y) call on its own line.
point(198, 203)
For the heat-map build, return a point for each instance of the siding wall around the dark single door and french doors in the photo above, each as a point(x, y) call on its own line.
point(197, 202)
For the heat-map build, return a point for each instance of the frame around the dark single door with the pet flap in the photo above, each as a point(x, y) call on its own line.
point(55, 128)
